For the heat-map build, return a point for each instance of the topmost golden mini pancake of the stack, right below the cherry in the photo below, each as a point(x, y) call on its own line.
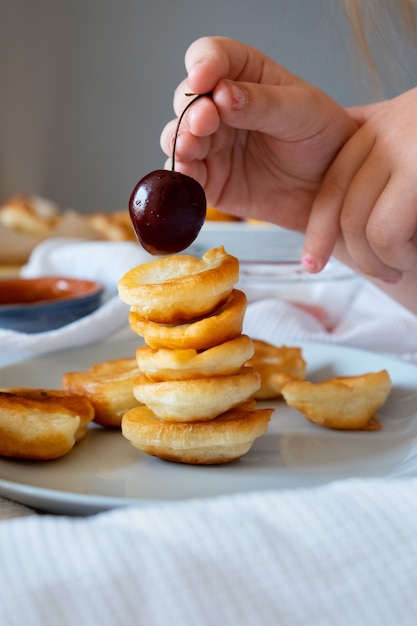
point(180, 288)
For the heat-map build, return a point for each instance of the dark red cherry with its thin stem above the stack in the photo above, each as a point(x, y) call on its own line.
point(167, 208)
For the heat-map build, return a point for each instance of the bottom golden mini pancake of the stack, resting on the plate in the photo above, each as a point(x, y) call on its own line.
point(221, 440)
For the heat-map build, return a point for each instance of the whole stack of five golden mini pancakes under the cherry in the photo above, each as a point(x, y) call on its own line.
point(194, 389)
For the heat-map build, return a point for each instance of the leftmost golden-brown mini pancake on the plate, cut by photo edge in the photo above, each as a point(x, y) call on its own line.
point(41, 424)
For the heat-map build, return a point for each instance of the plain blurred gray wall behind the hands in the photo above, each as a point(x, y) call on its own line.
point(86, 86)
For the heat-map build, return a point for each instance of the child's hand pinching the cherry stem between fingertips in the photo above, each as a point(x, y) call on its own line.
point(262, 143)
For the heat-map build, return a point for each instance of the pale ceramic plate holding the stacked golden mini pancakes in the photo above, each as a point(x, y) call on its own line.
point(105, 471)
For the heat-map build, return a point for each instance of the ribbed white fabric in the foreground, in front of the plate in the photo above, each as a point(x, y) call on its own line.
point(344, 554)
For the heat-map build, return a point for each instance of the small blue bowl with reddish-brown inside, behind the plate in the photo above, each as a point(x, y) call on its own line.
point(34, 305)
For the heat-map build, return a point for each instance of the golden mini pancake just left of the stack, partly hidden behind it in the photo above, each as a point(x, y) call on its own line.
point(109, 386)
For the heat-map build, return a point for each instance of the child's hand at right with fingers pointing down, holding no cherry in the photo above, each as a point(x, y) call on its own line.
point(369, 194)
